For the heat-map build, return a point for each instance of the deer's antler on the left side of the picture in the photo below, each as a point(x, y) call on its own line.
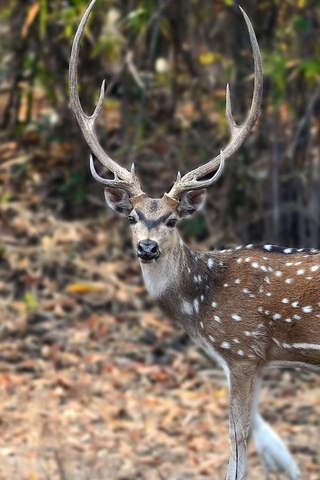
point(122, 177)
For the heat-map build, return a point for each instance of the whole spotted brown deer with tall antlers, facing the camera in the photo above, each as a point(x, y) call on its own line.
point(248, 307)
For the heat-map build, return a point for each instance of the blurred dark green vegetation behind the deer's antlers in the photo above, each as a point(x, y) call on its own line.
point(168, 63)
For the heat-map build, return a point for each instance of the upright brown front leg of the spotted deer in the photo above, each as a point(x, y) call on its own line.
point(241, 391)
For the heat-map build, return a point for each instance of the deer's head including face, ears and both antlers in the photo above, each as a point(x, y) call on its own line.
point(153, 221)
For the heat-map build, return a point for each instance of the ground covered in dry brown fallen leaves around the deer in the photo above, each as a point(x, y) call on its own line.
point(94, 382)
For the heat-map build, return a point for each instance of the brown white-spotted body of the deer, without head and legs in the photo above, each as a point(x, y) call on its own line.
point(250, 304)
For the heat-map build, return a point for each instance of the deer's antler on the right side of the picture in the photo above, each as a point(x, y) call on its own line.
point(192, 180)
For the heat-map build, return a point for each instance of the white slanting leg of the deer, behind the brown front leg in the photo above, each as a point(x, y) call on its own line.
point(274, 454)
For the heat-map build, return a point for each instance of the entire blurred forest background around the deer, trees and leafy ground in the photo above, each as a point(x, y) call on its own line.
point(78, 333)
